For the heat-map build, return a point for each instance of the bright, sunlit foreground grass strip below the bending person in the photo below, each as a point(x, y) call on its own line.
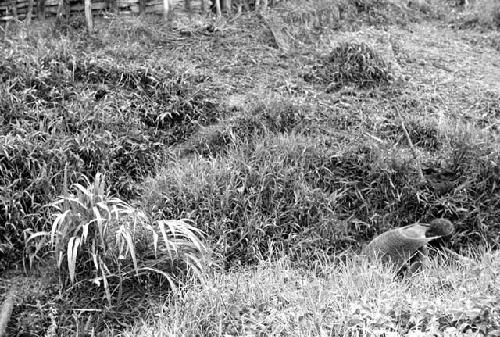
point(344, 298)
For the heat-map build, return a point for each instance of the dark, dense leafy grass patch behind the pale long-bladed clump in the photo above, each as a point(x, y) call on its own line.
point(64, 109)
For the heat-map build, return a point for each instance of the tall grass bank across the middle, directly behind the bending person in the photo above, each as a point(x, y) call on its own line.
point(303, 193)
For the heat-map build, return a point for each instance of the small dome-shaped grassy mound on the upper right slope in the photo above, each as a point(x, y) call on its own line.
point(351, 64)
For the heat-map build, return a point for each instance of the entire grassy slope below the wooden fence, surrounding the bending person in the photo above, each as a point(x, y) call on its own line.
point(278, 135)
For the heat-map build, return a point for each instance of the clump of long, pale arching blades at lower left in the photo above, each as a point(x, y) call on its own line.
point(100, 238)
